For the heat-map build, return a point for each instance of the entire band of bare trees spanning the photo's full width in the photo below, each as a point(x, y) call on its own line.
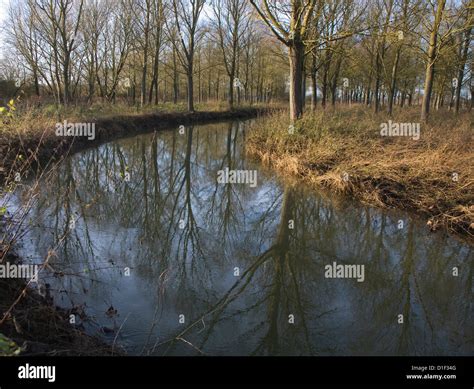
point(377, 52)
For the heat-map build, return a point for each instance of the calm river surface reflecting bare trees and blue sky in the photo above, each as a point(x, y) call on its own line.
point(193, 266)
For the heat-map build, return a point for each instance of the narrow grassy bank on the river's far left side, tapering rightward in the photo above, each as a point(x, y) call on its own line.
point(29, 141)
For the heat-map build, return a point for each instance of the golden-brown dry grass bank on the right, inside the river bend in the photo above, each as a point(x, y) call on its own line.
point(344, 151)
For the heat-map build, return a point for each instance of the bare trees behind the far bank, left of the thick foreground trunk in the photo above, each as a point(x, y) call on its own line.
point(146, 50)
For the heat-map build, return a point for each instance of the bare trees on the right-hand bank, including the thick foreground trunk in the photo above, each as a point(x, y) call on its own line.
point(383, 33)
